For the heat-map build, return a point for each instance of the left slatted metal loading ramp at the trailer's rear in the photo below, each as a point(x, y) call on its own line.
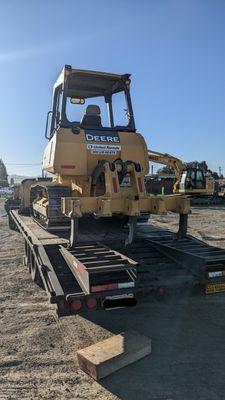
point(98, 268)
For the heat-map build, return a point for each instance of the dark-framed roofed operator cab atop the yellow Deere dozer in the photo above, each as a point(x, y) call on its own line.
point(85, 84)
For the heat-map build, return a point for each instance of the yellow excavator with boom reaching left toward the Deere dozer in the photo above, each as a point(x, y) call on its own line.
point(190, 179)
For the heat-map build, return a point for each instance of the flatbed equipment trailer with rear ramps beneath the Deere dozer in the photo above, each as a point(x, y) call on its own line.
point(103, 273)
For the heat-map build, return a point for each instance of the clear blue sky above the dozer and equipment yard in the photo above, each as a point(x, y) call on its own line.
point(175, 51)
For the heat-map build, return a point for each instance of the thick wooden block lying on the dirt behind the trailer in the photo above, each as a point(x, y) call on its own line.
point(109, 355)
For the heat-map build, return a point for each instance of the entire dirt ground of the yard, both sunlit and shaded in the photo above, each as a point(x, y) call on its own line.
point(38, 352)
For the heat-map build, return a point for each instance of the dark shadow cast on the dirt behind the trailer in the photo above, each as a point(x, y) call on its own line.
point(187, 349)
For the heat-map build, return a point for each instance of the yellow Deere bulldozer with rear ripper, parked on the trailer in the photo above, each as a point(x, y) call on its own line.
point(97, 158)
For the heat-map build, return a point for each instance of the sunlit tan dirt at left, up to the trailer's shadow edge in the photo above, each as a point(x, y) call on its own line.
point(38, 352)
